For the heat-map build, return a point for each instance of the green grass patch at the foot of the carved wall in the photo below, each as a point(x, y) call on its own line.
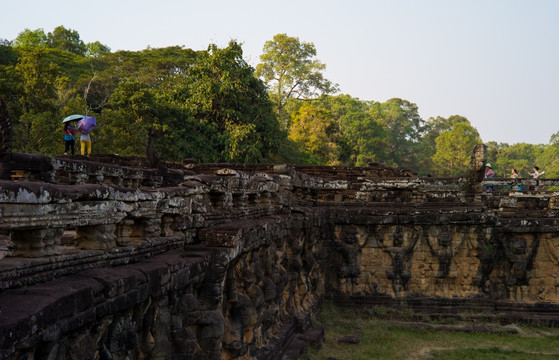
point(382, 338)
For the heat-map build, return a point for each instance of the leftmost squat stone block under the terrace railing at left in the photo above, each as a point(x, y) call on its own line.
point(37, 242)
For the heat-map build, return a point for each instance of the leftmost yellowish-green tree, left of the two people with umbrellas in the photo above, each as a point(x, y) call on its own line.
point(39, 84)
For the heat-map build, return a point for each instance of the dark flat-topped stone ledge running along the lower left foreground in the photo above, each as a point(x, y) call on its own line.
point(48, 311)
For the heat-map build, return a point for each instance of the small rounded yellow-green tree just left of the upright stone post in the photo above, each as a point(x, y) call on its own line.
point(454, 150)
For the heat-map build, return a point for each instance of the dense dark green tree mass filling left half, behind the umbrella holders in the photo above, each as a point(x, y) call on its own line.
point(207, 105)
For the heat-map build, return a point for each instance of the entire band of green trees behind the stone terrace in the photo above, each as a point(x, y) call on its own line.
point(213, 106)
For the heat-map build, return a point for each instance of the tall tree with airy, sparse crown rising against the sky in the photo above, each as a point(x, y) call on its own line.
point(290, 70)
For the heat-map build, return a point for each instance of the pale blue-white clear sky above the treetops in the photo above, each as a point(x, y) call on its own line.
point(495, 62)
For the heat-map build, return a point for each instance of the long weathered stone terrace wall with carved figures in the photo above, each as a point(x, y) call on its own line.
point(105, 258)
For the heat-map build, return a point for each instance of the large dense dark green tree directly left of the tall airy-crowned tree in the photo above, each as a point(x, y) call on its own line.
point(222, 92)
